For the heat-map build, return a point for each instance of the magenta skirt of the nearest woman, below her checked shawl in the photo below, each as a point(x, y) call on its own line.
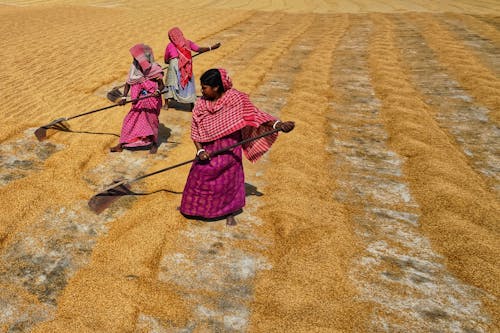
point(215, 188)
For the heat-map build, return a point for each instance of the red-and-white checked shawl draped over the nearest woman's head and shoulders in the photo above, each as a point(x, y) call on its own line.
point(232, 112)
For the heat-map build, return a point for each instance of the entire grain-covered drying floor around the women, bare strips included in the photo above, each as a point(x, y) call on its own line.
point(379, 212)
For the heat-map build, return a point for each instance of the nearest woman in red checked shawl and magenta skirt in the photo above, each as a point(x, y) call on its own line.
point(223, 116)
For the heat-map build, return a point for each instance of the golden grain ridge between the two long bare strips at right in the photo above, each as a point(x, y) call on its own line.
point(457, 204)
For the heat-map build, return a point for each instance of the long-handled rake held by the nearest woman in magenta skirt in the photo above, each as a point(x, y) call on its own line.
point(103, 199)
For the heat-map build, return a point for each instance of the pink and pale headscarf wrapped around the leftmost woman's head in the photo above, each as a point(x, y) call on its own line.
point(143, 54)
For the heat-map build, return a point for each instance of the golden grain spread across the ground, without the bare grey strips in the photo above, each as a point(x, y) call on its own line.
point(59, 58)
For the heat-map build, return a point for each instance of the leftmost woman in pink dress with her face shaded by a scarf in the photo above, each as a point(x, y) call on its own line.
point(140, 126)
